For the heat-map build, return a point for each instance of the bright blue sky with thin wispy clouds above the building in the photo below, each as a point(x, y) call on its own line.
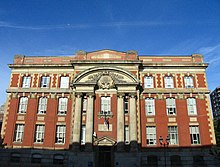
point(152, 27)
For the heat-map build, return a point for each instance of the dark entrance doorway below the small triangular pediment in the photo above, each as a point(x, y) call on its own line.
point(105, 157)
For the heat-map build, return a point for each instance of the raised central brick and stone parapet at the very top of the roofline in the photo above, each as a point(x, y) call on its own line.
point(106, 55)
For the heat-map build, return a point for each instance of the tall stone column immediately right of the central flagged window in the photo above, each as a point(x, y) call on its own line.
point(120, 123)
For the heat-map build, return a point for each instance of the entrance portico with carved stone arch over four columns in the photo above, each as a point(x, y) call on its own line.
point(105, 89)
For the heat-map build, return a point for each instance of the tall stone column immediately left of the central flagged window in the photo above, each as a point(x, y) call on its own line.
point(89, 122)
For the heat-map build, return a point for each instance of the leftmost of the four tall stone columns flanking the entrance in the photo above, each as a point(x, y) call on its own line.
point(77, 122)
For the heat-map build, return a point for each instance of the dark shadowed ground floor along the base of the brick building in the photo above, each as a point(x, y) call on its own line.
point(104, 156)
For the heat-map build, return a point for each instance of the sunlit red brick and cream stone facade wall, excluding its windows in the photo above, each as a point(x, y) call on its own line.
point(126, 64)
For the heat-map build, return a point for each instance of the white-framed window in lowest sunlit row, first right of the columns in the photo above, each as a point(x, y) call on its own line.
point(151, 135)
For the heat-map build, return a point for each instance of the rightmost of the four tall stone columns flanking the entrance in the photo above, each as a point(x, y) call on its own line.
point(133, 122)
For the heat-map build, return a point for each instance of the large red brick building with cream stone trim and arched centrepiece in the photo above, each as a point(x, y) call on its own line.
point(108, 103)
